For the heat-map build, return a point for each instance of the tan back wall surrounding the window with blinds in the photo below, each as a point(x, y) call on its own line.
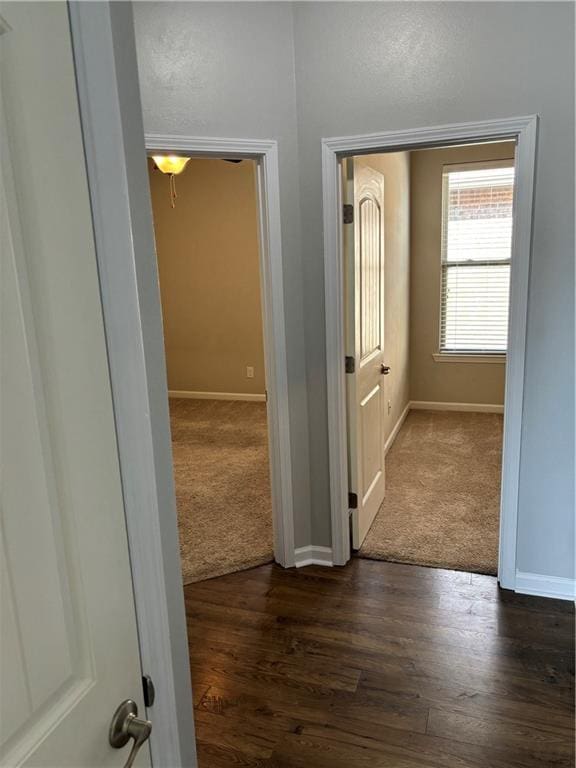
point(429, 380)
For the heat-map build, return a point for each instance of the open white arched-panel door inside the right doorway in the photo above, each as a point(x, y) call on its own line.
point(364, 251)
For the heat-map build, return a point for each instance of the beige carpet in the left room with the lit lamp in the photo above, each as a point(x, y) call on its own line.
point(222, 481)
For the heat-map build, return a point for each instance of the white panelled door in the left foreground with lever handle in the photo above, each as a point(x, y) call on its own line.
point(68, 641)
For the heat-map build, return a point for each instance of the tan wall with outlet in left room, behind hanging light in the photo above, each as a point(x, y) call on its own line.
point(209, 276)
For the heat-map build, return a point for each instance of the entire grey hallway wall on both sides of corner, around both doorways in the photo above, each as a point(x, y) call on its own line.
point(227, 69)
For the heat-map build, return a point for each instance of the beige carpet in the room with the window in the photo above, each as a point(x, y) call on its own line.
point(443, 493)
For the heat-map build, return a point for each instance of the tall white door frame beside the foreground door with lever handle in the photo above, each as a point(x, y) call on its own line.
point(111, 116)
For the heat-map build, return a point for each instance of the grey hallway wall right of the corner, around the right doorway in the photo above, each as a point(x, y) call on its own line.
point(364, 67)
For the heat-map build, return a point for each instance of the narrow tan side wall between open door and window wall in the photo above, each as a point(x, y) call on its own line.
point(396, 169)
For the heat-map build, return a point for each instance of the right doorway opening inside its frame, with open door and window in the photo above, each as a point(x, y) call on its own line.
point(427, 246)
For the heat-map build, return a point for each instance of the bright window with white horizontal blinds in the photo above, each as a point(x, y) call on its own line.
point(476, 247)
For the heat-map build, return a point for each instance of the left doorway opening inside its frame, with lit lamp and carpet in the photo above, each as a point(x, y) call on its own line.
point(206, 229)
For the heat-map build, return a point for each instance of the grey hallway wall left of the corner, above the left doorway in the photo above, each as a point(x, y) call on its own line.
point(227, 69)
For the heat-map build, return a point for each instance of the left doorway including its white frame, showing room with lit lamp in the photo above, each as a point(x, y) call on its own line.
point(219, 261)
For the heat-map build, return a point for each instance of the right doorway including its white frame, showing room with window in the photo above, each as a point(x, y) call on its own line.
point(431, 249)
